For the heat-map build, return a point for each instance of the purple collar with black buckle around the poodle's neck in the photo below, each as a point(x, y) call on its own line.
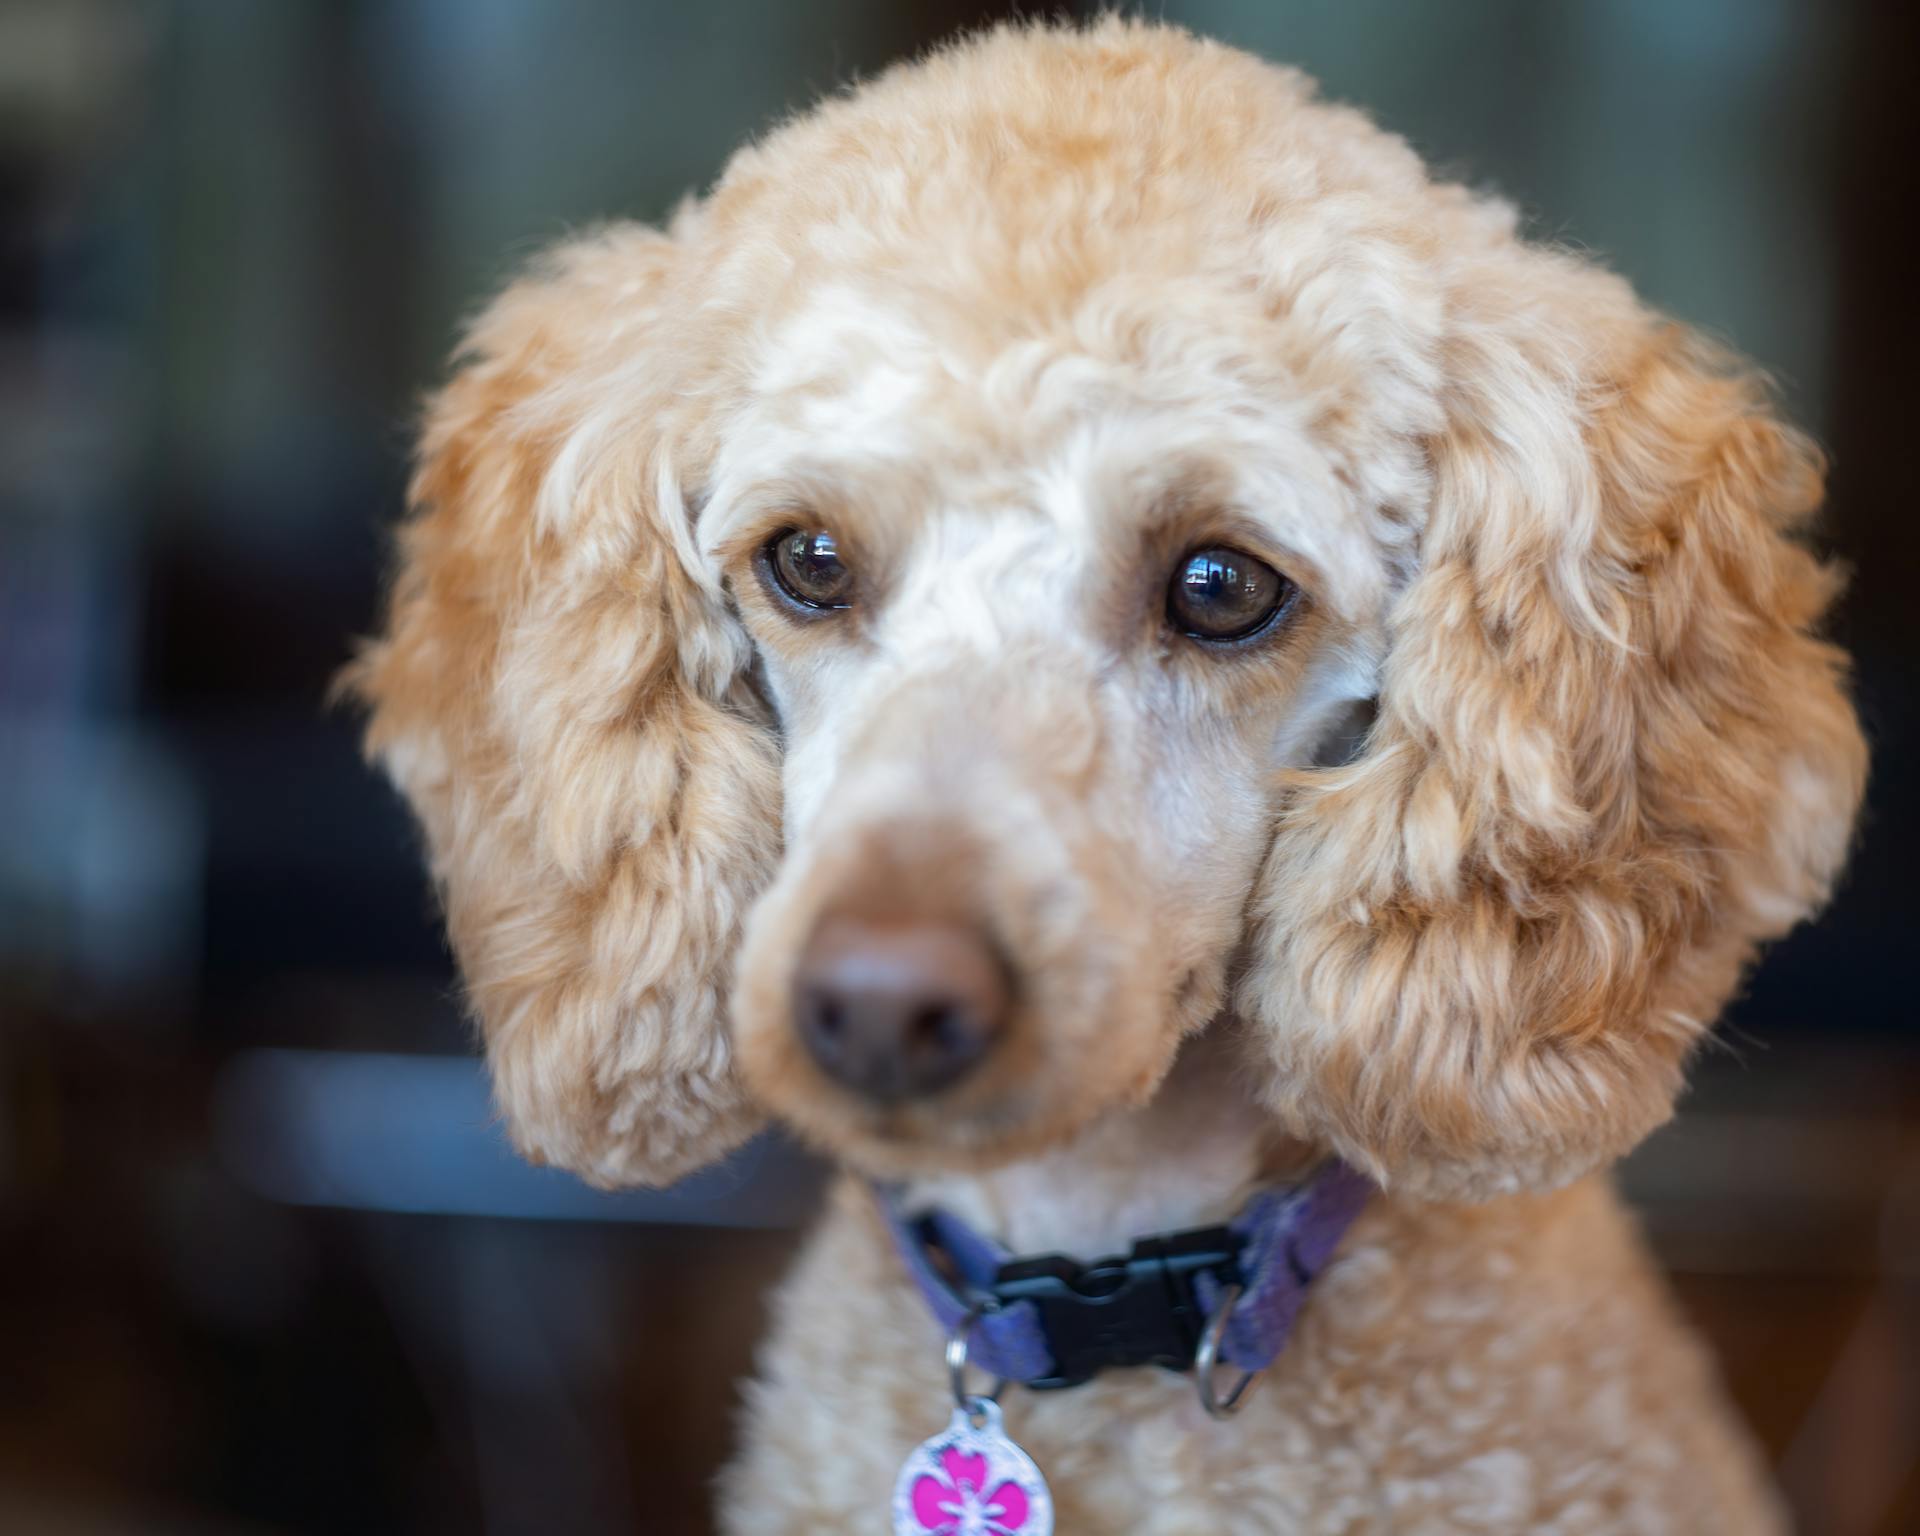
point(1053, 1322)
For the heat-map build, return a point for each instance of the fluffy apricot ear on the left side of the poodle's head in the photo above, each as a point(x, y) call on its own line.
point(562, 696)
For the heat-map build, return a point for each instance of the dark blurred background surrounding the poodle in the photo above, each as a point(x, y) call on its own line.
point(264, 1259)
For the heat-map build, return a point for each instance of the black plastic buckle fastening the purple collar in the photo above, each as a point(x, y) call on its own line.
point(1136, 1310)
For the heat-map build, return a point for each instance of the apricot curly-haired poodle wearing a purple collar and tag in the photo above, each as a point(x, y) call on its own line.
point(1170, 692)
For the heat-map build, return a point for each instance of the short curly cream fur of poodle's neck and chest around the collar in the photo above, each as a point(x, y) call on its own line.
point(1497, 1368)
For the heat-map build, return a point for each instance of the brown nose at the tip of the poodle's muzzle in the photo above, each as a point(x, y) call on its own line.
point(900, 1009)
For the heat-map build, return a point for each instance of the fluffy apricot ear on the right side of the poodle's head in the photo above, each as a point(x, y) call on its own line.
point(1610, 757)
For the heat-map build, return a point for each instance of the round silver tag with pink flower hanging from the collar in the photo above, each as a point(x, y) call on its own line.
point(972, 1481)
